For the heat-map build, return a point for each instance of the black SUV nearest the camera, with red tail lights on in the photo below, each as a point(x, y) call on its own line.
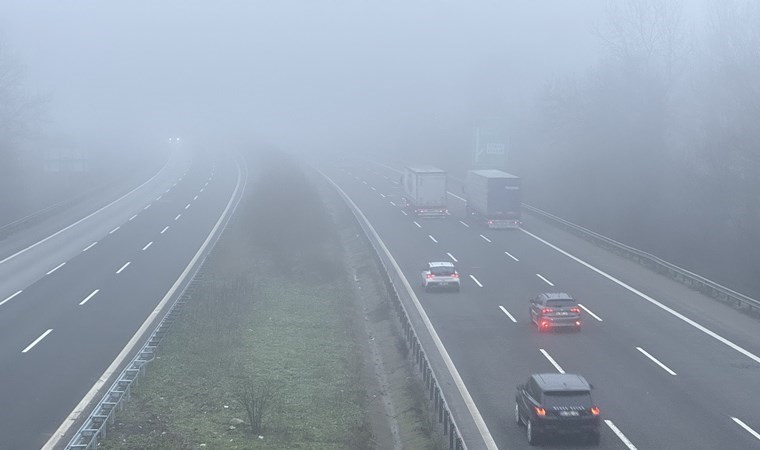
point(557, 404)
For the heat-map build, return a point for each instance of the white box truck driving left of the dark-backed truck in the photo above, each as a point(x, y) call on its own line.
point(425, 191)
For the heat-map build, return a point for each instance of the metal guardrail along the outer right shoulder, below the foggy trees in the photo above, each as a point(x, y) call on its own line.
point(683, 276)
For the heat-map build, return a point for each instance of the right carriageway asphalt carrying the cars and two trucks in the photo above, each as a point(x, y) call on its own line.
point(670, 367)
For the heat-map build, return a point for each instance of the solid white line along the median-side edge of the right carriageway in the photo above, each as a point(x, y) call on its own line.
point(468, 401)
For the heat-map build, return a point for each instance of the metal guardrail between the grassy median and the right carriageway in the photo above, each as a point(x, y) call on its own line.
point(394, 286)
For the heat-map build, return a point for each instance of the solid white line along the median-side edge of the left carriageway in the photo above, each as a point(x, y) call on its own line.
point(82, 405)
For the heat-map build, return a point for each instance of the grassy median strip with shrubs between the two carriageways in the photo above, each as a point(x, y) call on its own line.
point(267, 352)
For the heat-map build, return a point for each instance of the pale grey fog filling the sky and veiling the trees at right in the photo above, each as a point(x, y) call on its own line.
point(633, 117)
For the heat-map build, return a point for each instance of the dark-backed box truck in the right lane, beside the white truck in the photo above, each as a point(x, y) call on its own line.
point(495, 197)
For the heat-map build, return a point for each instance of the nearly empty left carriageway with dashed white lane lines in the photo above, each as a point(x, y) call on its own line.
point(75, 289)
